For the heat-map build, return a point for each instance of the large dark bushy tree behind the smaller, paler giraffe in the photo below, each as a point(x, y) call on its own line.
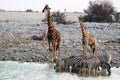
point(100, 10)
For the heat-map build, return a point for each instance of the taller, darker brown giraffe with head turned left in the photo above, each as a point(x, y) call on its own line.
point(53, 35)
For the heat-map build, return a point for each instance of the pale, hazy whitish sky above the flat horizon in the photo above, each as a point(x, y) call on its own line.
point(37, 5)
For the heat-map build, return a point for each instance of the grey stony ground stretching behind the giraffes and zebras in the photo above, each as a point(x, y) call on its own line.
point(17, 44)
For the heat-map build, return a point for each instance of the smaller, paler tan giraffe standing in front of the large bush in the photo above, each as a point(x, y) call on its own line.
point(87, 39)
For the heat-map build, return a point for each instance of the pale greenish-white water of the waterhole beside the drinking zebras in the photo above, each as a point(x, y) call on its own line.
point(36, 71)
